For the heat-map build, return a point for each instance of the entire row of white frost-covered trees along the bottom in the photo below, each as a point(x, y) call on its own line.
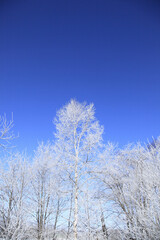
point(77, 187)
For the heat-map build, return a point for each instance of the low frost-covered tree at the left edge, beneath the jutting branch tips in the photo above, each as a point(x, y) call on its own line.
point(13, 196)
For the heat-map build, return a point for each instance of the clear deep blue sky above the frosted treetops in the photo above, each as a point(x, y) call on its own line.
point(106, 52)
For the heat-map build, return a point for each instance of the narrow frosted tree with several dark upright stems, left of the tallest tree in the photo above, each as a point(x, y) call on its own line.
point(45, 196)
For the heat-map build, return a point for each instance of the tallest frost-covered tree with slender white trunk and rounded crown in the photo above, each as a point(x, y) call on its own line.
point(78, 137)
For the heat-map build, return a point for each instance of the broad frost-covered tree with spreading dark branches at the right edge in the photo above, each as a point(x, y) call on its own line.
point(131, 185)
